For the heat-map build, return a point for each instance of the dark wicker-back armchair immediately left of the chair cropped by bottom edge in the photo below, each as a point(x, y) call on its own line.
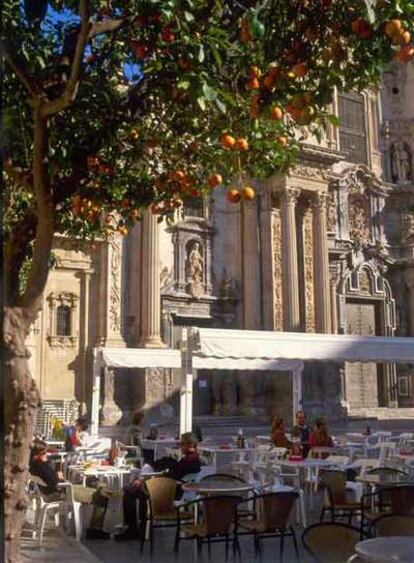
point(271, 519)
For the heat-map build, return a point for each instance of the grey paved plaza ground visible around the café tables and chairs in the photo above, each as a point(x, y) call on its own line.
point(58, 547)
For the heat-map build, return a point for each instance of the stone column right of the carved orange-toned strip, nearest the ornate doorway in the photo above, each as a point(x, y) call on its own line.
point(321, 264)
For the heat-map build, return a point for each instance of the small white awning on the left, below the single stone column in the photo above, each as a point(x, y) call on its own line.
point(140, 357)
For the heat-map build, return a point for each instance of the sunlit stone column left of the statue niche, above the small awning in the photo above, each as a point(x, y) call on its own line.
point(150, 283)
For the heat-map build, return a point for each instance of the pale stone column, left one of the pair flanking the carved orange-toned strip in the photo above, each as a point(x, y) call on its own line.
point(290, 277)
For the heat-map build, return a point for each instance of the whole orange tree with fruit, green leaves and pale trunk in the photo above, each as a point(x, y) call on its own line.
point(115, 106)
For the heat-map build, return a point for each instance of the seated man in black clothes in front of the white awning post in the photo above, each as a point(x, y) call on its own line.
point(188, 464)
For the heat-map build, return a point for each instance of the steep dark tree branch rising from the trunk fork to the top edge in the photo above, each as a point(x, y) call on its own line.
point(69, 94)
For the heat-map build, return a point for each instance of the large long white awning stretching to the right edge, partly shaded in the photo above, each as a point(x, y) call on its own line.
point(251, 346)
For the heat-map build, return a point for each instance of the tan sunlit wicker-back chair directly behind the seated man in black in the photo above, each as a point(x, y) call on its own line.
point(161, 509)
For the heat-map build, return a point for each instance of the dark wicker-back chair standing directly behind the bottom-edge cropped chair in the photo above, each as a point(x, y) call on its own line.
point(335, 483)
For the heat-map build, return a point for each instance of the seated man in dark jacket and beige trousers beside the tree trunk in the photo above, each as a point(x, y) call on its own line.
point(40, 466)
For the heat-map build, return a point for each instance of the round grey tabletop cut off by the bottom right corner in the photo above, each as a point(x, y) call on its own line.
point(391, 549)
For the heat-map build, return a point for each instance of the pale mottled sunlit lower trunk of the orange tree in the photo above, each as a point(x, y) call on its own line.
point(21, 400)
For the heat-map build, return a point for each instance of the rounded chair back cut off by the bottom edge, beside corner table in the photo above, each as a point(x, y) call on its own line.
point(330, 542)
